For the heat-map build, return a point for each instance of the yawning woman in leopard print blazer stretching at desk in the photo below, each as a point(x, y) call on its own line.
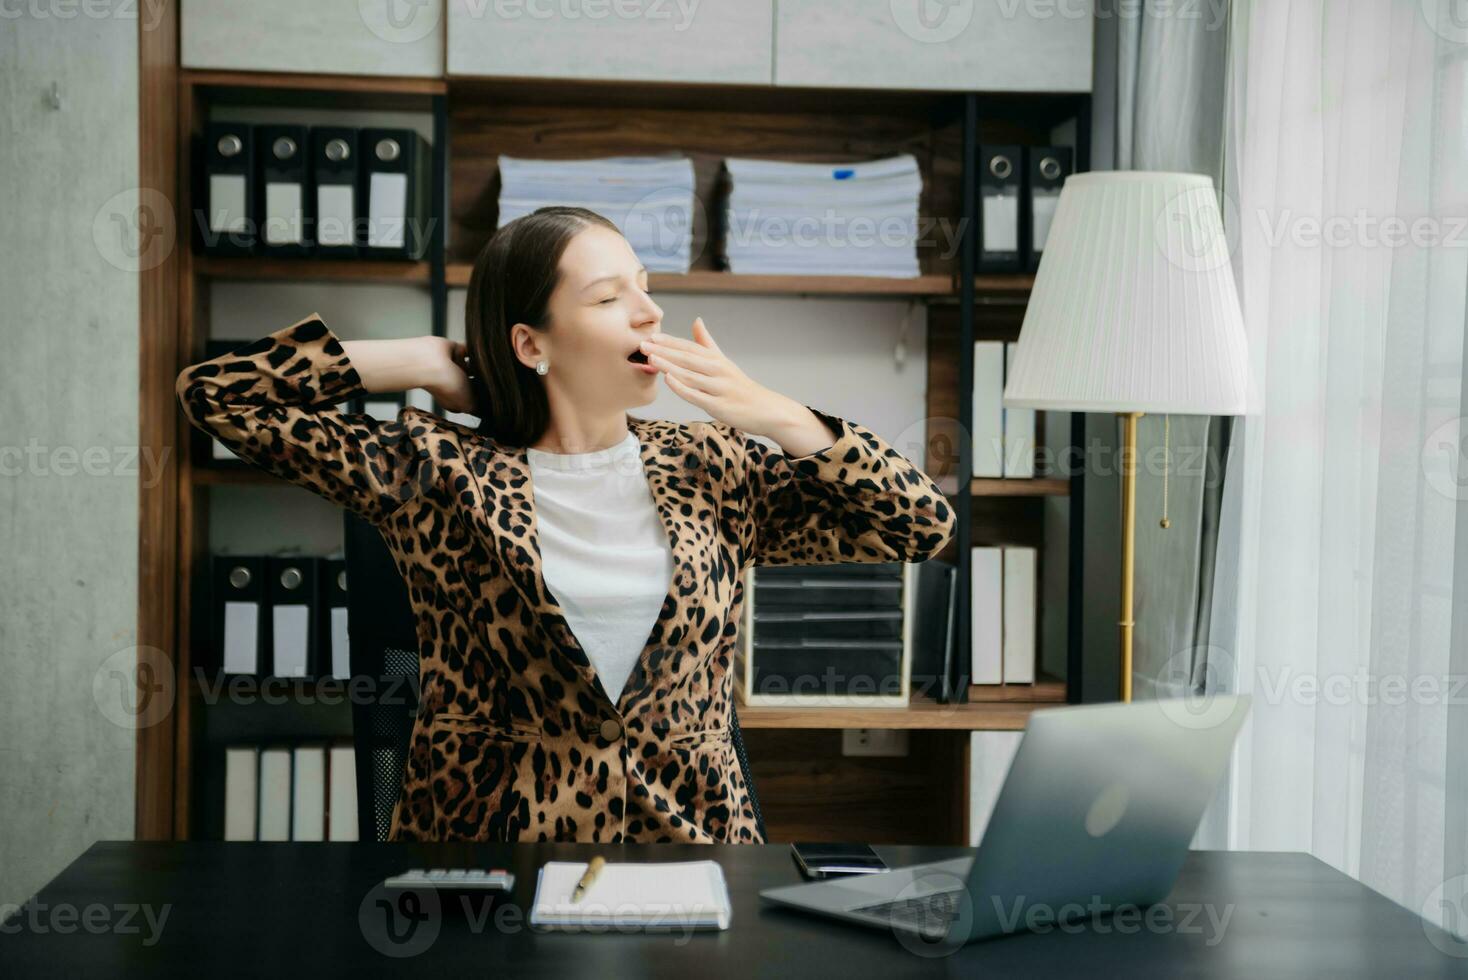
point(575, 570)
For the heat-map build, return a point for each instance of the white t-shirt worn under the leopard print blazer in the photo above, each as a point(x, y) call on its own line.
point(604, 549)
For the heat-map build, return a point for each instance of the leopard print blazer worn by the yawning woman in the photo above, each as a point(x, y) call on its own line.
point(516, 739)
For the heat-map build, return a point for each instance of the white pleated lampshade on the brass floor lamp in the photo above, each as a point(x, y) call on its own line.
point(1134, 309)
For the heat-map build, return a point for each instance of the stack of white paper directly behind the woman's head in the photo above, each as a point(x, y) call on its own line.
point(650, 200)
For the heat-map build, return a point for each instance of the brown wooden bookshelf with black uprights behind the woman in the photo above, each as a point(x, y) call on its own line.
point(807, 787)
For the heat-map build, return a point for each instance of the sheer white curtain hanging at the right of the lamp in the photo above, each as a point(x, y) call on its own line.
point(1341, 551)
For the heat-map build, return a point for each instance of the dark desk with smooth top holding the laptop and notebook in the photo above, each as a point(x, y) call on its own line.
point(291, 910)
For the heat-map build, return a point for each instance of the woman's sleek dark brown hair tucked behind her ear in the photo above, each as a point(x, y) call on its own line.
point(515, 277)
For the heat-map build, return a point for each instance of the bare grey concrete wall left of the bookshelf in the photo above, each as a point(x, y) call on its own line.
point(68, 434)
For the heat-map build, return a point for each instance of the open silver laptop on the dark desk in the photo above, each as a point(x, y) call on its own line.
point(1099, 809)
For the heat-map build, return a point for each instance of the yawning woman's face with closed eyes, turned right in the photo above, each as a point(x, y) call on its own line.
point(600, 313)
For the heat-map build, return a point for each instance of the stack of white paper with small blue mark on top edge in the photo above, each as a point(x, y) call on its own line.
point(823, 219)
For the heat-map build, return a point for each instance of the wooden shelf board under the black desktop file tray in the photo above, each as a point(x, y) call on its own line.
point(921, 714)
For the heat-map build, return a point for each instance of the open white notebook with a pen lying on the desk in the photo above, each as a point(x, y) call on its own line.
point(673, 896)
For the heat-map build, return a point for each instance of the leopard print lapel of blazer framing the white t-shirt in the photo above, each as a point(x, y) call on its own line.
point(507, 517)
